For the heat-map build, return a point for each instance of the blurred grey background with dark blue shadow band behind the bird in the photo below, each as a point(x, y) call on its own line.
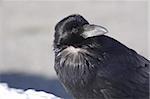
point(27, 29)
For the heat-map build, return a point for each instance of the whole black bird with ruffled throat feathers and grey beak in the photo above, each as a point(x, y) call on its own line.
point(92, 65)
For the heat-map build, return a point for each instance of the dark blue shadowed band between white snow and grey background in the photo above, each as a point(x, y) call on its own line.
point(36, 82)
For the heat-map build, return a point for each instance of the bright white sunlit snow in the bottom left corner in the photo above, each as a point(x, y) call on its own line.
point(11, 93)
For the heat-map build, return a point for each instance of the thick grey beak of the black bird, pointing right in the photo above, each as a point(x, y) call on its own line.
point(93, 30)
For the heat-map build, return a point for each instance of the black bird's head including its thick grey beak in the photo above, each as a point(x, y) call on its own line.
point(74, 29)
